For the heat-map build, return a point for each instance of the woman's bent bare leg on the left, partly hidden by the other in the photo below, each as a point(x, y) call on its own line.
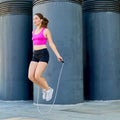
point(31, 71)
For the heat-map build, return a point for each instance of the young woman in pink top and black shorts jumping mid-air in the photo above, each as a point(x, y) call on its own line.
point(40, 58)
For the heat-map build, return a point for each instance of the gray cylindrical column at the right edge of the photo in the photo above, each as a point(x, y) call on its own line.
point(102, 34)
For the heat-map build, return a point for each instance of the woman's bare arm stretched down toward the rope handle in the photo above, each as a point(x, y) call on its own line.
point(52, 45)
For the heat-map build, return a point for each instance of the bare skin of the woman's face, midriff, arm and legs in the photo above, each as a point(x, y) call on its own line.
point(37, 68)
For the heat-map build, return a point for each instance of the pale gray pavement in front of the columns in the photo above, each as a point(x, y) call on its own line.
point(90, 110)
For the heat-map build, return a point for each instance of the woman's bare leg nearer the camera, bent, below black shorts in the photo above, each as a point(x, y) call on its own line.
point(41, 66)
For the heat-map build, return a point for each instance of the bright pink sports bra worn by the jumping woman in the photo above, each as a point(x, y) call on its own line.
point(39, 39)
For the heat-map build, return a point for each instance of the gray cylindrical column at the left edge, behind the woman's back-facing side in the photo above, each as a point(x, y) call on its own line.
point(15, 43)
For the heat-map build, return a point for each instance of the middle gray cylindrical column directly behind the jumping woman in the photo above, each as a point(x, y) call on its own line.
point(65, 23)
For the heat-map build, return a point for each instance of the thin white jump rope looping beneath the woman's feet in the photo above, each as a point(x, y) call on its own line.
point(54, 100)
